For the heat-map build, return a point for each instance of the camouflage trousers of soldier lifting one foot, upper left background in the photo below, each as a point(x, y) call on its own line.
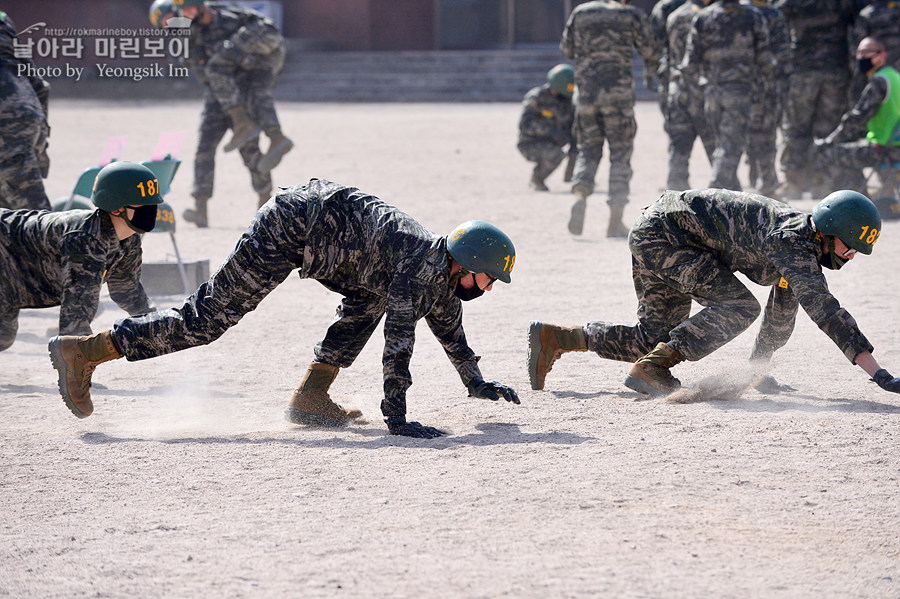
point(214, 124)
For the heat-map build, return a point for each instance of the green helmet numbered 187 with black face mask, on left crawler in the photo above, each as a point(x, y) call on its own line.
point(122, 184)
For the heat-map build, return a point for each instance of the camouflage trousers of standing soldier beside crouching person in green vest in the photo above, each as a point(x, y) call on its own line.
point(815, 102)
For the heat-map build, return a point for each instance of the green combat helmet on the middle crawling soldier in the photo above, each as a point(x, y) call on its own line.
point(479, 246)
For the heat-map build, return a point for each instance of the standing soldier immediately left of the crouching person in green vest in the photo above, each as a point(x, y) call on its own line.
point(818, 86)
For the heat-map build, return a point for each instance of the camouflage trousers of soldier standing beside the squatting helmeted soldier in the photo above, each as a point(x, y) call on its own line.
point(614, 124)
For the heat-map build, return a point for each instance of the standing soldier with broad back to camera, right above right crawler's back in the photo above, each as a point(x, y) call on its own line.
point(728, 50)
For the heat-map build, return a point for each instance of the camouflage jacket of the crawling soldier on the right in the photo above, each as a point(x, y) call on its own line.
point(771, 244)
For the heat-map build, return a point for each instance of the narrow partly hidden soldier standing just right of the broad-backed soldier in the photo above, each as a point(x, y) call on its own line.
point(768, 103)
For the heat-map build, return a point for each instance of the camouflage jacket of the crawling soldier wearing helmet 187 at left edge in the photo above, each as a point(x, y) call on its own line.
point(63, 258)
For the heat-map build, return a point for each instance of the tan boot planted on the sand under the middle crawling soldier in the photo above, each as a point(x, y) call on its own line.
point(311, 403)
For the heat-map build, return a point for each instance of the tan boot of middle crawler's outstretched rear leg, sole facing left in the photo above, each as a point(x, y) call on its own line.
point(75, 359)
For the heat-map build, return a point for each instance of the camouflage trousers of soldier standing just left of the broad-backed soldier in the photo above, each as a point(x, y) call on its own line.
point(685, 122)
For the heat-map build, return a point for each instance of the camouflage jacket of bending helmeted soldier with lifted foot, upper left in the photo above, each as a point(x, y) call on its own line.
point(245, 35)
